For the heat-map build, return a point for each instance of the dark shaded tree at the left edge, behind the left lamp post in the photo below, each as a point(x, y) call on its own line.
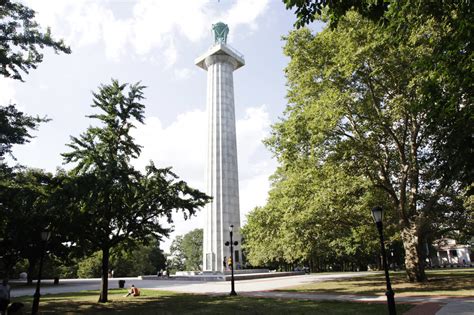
point(26, 210)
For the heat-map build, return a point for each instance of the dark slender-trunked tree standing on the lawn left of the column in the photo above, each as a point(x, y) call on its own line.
point(124, 205)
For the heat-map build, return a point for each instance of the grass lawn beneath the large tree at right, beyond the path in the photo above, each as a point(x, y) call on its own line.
point(450, 282)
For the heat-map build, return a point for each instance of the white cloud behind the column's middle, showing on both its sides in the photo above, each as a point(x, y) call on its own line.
point(183, 145)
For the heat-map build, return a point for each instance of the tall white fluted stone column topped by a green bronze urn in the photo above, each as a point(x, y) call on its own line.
point(220, 61)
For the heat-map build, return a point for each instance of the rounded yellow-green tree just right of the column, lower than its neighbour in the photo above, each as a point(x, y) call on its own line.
point(315, 216)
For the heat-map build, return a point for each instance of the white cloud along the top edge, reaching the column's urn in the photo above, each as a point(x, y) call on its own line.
point(151, 25)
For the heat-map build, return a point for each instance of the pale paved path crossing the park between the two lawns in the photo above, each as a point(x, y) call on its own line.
point(262, 288)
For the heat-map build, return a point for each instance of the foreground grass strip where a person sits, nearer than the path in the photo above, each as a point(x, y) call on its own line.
point(163, 302)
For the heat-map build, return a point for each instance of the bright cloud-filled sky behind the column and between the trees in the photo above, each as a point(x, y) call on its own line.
point(156, 42)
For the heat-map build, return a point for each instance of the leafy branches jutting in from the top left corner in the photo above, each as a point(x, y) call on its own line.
point(21, 39)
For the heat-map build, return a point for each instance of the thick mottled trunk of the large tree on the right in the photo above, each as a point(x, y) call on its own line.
point(414, 265)
